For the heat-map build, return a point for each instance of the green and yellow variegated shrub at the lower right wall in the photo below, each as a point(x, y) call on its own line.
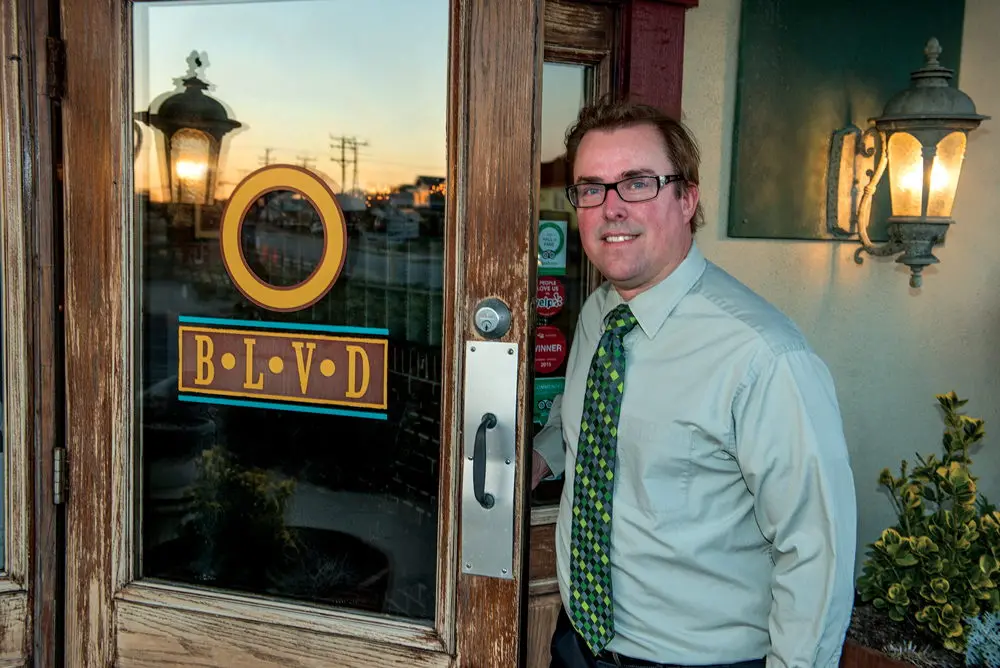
point(928, 591)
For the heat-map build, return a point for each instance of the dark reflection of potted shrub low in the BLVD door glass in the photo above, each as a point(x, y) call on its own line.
point(236, 537)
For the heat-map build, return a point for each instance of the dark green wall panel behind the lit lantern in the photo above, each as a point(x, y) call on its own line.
point(806, 69)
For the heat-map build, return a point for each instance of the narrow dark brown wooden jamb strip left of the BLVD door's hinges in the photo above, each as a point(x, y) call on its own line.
point(41, 82)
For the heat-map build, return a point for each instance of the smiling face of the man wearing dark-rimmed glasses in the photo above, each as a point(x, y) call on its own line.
point(635, 245)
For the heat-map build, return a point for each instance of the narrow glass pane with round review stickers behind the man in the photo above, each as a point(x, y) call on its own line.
point(561, 288)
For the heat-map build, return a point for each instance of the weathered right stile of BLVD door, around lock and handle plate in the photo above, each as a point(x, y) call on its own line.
point(498, 253)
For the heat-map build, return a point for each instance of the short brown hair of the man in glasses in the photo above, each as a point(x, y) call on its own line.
point(677, 140)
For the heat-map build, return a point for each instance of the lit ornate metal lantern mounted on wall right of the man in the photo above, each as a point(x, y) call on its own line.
point(921, 139)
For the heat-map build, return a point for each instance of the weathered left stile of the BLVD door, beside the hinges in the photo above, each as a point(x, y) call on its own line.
point(98, 401)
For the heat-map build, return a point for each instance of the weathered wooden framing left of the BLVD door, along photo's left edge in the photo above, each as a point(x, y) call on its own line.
point(32, 340)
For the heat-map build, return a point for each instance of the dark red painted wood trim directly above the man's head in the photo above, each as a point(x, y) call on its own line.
point(651, 69)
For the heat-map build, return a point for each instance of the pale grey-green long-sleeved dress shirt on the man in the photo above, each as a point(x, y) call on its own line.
point(734, 516)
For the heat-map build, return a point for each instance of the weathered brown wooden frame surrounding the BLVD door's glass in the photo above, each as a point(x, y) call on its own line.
point(106, 620)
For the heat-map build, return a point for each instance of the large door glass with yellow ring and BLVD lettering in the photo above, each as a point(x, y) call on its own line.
point(289, 435)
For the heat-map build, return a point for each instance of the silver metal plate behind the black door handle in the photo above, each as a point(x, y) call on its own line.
point(490, 387)
